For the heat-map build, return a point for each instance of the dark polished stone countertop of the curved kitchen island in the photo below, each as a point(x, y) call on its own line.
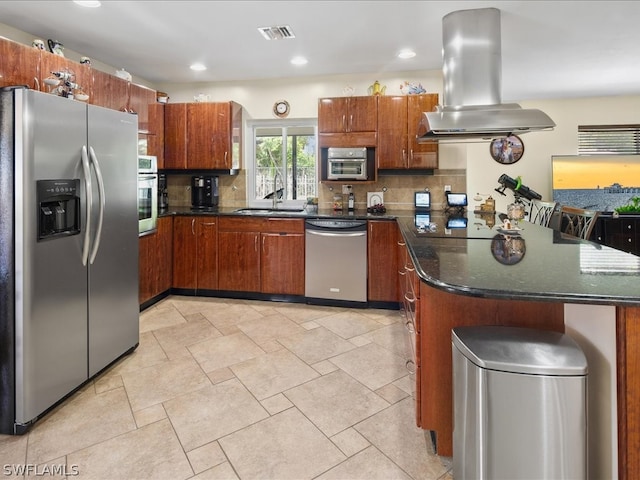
point(537, 264)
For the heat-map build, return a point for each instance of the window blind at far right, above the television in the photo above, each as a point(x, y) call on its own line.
point(608, 139)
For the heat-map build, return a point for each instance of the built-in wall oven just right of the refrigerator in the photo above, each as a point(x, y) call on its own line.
point(147, 194)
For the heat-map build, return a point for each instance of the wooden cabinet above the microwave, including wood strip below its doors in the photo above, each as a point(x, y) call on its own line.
point(348, 121)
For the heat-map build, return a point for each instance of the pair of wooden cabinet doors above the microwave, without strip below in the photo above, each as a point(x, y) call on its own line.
point(348, 114)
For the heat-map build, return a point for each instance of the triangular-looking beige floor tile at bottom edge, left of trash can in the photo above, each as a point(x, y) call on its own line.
point(370, 464)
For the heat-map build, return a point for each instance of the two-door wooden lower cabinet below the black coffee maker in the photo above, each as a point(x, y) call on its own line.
point(195, 252)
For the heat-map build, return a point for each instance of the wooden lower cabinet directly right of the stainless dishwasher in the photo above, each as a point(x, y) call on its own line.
point(382, 259)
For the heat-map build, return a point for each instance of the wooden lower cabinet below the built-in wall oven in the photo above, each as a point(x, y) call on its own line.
point(155, 250)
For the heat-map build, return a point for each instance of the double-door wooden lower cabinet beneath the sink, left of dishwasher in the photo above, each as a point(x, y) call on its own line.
point(263, 255)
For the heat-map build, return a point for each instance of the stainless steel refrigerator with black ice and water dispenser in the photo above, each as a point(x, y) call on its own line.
point(68, 248)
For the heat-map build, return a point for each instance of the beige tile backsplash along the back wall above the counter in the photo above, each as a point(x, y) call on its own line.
point(398, 189)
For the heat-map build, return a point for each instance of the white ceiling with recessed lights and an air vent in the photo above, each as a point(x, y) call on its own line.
point(550, 49)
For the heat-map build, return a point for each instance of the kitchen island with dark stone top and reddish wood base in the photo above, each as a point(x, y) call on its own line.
point(535, 278)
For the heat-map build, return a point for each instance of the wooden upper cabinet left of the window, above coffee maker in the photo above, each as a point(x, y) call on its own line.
point(203, 135)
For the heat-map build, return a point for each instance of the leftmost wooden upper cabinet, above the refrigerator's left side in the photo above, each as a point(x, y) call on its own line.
point(19, 65)
